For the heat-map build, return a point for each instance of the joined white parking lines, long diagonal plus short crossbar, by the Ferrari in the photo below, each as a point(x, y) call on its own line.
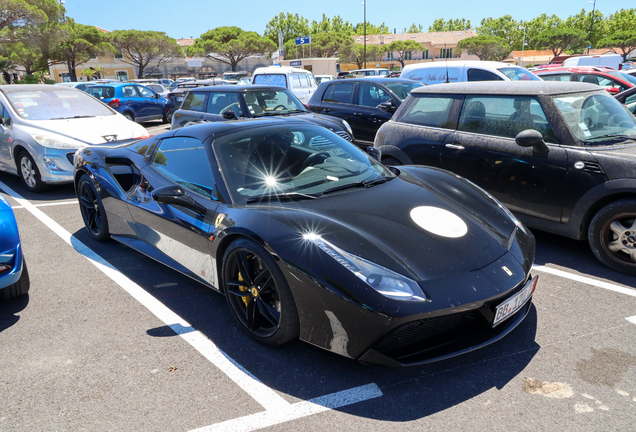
point(280, 409)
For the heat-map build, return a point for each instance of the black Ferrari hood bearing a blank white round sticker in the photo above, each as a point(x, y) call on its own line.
point(410, 227)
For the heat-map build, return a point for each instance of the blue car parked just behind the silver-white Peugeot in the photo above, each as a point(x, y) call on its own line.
point(136, 102)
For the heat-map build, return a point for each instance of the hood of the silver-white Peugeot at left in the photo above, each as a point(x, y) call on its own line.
point(92, 130)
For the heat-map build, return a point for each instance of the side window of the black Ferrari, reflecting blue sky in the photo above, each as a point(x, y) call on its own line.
point(184, 161)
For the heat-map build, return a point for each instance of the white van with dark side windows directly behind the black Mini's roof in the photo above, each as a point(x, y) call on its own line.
point(460, 71)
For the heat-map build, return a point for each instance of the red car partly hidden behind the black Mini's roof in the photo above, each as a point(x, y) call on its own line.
point(612, 80)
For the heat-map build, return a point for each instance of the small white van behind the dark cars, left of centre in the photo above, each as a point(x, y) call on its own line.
point(299, 81)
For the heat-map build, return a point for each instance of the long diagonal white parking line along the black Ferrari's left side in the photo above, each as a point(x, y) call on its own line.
point(265, 396)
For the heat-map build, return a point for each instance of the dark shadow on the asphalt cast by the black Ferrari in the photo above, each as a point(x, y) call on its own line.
point(300, 371)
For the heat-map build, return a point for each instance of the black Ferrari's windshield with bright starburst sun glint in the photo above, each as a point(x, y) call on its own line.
point(283, 161)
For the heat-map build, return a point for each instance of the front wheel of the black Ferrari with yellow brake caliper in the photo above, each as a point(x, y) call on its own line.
point(258, 294)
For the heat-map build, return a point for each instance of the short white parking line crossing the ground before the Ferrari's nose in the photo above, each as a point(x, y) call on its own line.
point(298, 410)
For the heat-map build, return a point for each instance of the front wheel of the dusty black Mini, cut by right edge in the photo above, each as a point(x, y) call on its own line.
point(612, 236)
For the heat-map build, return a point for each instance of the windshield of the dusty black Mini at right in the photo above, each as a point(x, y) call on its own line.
point(596, 119)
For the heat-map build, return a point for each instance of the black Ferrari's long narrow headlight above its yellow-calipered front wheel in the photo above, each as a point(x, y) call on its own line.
point(383, 280)
